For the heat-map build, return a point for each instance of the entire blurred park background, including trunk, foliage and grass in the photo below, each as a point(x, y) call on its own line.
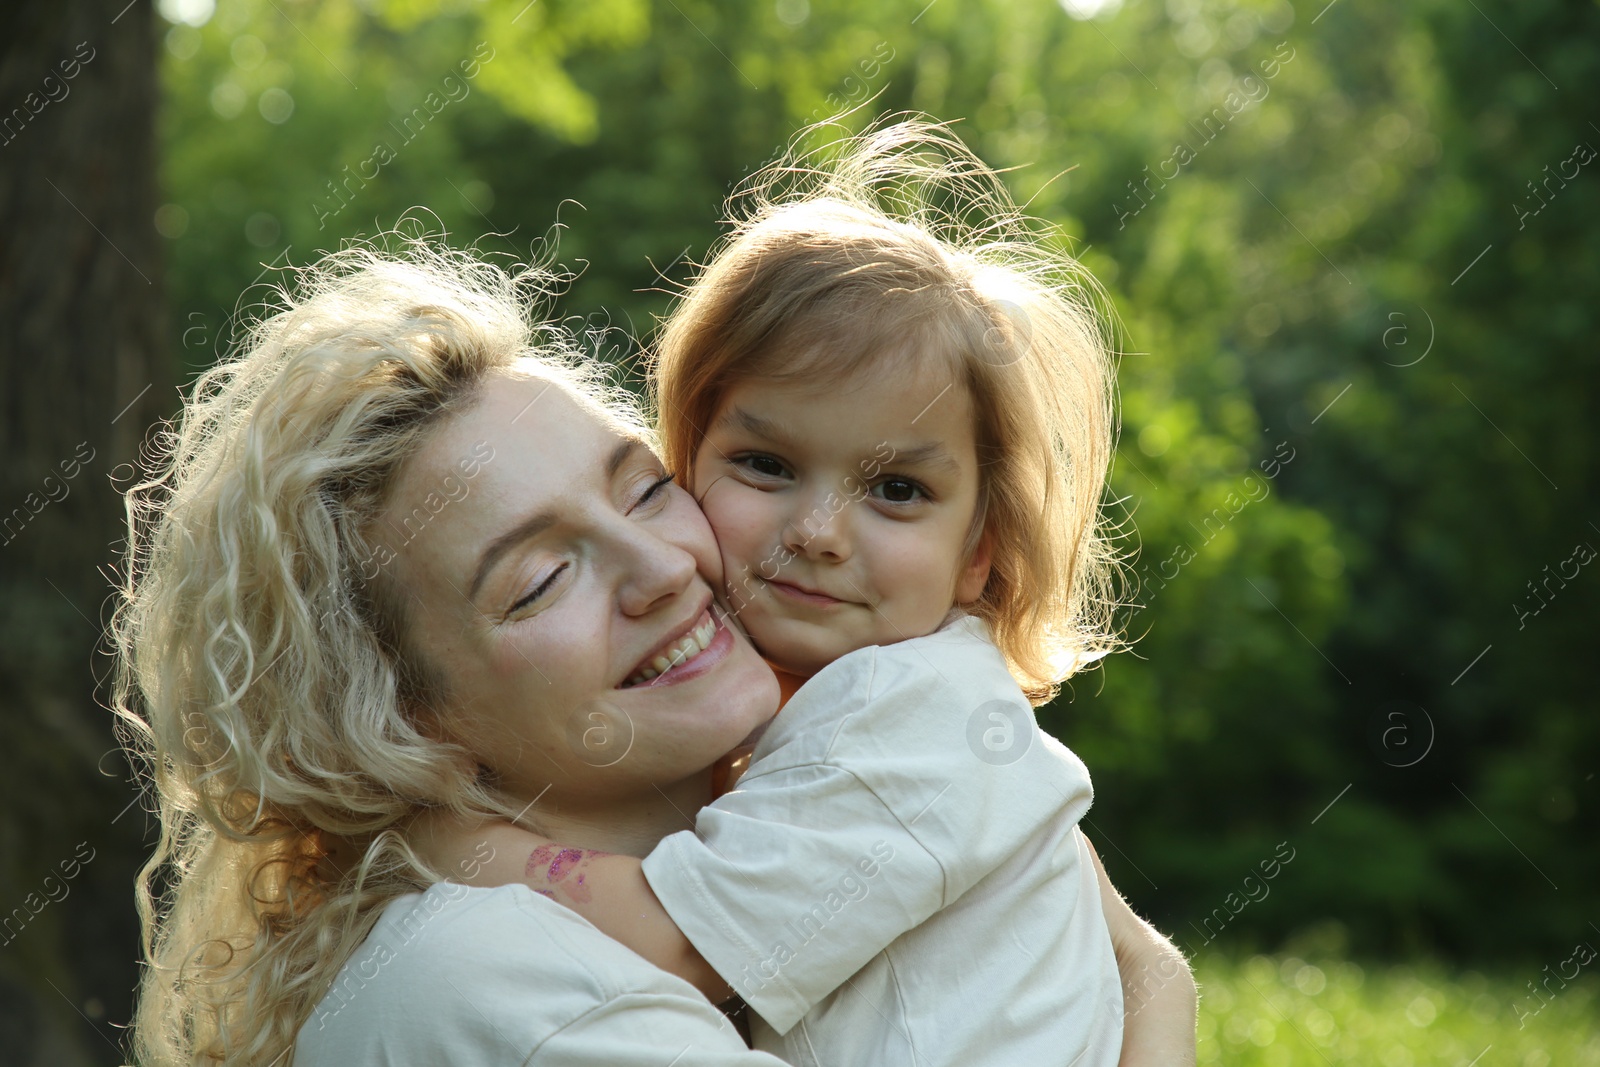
point(1351, 761)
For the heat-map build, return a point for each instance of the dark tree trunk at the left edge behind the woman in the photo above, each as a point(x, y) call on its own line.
point(84, 372)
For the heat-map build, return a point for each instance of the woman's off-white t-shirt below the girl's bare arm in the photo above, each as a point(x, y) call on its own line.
point(478, 977)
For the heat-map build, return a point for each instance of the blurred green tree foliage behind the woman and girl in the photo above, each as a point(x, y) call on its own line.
point(1356, 374)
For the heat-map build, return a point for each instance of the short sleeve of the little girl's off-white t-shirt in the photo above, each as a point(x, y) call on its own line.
point(873, 804)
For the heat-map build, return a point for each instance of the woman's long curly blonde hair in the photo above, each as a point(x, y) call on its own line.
point(265, 682)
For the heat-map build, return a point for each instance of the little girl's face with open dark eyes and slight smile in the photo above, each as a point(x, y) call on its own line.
point(842, 513)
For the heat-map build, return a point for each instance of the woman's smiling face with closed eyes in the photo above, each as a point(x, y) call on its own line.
point(551, 597)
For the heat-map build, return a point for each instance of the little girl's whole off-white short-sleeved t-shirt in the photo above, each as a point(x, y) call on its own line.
point(898, 879)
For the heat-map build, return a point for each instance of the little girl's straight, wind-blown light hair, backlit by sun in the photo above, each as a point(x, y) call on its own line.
point(905, 246)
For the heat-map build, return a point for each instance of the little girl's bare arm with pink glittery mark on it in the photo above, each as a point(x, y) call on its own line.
point(606, 889)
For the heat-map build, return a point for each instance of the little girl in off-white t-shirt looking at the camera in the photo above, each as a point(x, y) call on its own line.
point(898, 425)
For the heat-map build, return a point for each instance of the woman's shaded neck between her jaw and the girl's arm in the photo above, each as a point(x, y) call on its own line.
point(630, 826)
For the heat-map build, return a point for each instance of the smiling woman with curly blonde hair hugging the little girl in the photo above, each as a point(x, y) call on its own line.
point(327, 629)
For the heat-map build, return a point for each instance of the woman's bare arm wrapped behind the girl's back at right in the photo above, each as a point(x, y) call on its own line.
point(1159, 993)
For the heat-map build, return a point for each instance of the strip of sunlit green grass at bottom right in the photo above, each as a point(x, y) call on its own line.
point(1274, 1012)
